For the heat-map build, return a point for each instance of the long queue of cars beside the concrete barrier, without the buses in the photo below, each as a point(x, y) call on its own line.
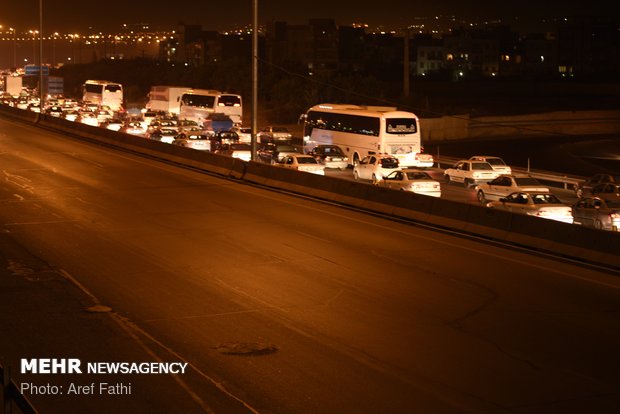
point(493, 181)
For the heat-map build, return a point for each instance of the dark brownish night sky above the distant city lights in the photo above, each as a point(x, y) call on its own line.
point(107, 16)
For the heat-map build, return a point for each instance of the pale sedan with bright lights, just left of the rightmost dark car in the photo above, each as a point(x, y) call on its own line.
point(535, 203)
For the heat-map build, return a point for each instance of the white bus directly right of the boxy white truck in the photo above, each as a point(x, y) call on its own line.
point(198, 104)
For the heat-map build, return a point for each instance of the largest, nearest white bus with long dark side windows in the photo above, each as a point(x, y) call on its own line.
point(365, 130)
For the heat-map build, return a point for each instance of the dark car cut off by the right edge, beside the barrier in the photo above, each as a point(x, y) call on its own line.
point(597, 213)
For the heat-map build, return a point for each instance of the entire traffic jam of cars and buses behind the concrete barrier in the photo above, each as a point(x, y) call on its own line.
point(377, 145)
